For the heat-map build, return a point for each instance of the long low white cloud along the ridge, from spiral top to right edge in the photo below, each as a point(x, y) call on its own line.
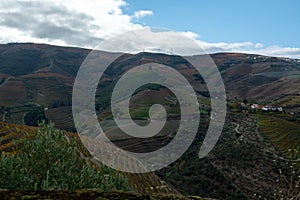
point(187, 43)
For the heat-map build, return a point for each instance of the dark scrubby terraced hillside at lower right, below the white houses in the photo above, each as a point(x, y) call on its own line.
point(243, 165)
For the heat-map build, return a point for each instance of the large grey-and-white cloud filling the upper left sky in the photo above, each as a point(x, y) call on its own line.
point(63, 22)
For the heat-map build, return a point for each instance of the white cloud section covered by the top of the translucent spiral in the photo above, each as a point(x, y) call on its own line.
point(153, 40)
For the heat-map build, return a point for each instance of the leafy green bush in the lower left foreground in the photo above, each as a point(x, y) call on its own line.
point(48, 162)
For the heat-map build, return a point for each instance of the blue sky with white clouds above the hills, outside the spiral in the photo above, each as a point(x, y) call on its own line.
point(267, 27)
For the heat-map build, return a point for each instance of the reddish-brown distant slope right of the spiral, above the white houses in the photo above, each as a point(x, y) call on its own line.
point(258, 77)
